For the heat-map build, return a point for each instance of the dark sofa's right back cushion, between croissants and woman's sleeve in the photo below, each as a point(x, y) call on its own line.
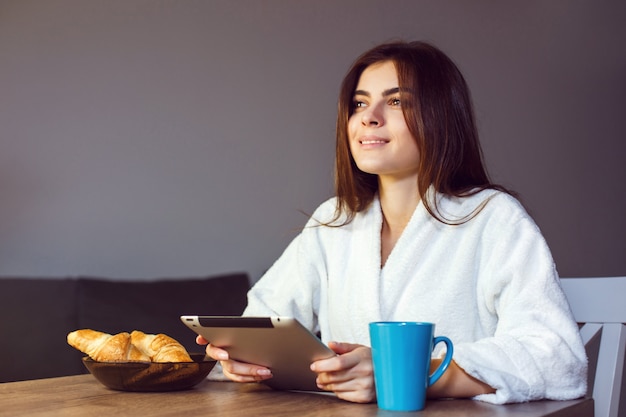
point(156, 306)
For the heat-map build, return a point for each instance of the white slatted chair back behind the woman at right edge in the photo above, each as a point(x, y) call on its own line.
point(599, 305)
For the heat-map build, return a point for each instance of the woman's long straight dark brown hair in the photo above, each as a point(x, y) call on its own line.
point(440, 116)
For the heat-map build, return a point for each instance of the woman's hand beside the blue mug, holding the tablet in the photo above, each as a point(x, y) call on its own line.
point(349, 374)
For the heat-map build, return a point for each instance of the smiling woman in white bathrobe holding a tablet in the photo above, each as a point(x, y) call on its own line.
point(418, 232)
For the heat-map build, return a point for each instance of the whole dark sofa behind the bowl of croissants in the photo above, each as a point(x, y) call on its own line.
point(37, 315)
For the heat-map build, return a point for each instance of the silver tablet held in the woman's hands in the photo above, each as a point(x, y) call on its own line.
point(281, 344)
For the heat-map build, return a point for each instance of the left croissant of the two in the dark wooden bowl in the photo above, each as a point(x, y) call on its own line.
point(104, 347)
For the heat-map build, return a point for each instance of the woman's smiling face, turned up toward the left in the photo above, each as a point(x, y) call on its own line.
point(379, 137)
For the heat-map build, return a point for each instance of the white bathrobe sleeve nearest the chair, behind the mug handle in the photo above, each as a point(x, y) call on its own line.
point(536, 351)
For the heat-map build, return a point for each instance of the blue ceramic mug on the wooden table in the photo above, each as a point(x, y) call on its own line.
point(401, 354)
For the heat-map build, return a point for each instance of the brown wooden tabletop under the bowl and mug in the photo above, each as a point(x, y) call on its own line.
point(82, 395)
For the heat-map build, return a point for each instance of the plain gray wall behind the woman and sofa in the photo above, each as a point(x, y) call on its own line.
point(144, 139)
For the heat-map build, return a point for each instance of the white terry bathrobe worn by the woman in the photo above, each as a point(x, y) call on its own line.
point(490, 285)
